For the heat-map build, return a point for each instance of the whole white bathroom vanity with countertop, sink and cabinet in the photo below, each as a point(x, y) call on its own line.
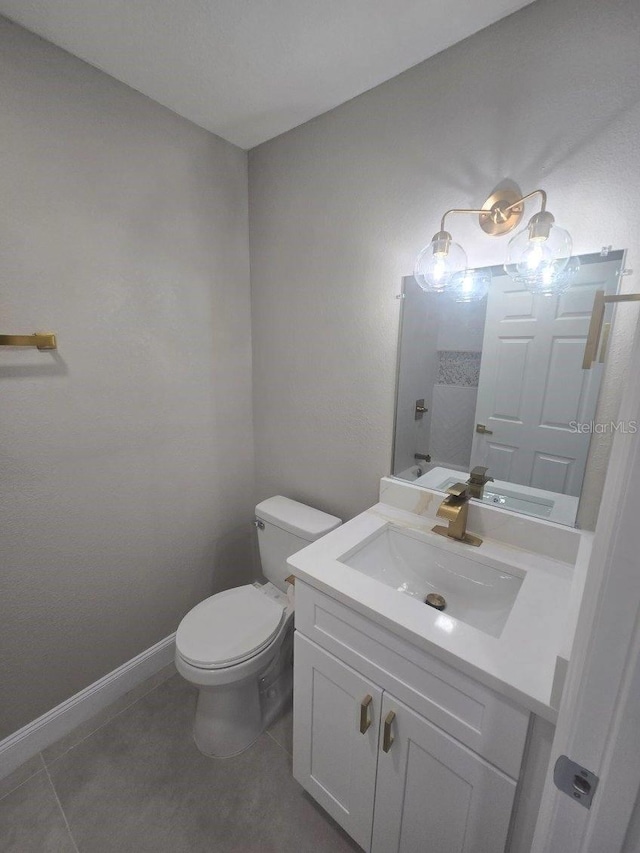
point(414, 728)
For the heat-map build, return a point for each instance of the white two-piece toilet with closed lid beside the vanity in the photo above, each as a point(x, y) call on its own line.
point(237, 645)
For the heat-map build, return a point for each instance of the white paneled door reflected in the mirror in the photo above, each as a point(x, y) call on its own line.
point(532, 390)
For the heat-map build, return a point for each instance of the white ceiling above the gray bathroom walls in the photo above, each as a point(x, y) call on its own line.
point(249, 70)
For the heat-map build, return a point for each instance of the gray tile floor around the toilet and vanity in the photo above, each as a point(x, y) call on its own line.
point(132, 781)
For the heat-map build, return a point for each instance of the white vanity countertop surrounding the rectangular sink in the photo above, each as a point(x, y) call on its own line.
point(520, 663)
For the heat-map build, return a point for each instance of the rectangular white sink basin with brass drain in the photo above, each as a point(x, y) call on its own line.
point(480, 593)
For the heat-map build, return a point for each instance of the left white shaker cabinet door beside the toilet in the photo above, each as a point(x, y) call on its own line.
point(332, 758)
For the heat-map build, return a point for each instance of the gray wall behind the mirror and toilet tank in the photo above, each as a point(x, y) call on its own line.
point(340, 207)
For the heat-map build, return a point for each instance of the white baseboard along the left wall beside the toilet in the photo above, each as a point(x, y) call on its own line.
point(59, 721)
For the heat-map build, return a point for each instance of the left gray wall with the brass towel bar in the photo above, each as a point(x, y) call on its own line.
point(126, 459)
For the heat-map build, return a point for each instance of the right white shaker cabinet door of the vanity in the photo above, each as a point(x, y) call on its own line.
point(433, 794)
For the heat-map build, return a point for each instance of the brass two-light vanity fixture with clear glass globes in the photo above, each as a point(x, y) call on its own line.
point(537, 257)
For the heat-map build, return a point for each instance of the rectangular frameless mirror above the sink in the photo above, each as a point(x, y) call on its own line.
point(499, 384)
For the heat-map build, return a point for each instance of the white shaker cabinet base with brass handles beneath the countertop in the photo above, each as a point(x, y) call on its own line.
point(406, 753)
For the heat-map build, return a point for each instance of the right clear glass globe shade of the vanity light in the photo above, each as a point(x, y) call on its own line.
point(538, 255)
